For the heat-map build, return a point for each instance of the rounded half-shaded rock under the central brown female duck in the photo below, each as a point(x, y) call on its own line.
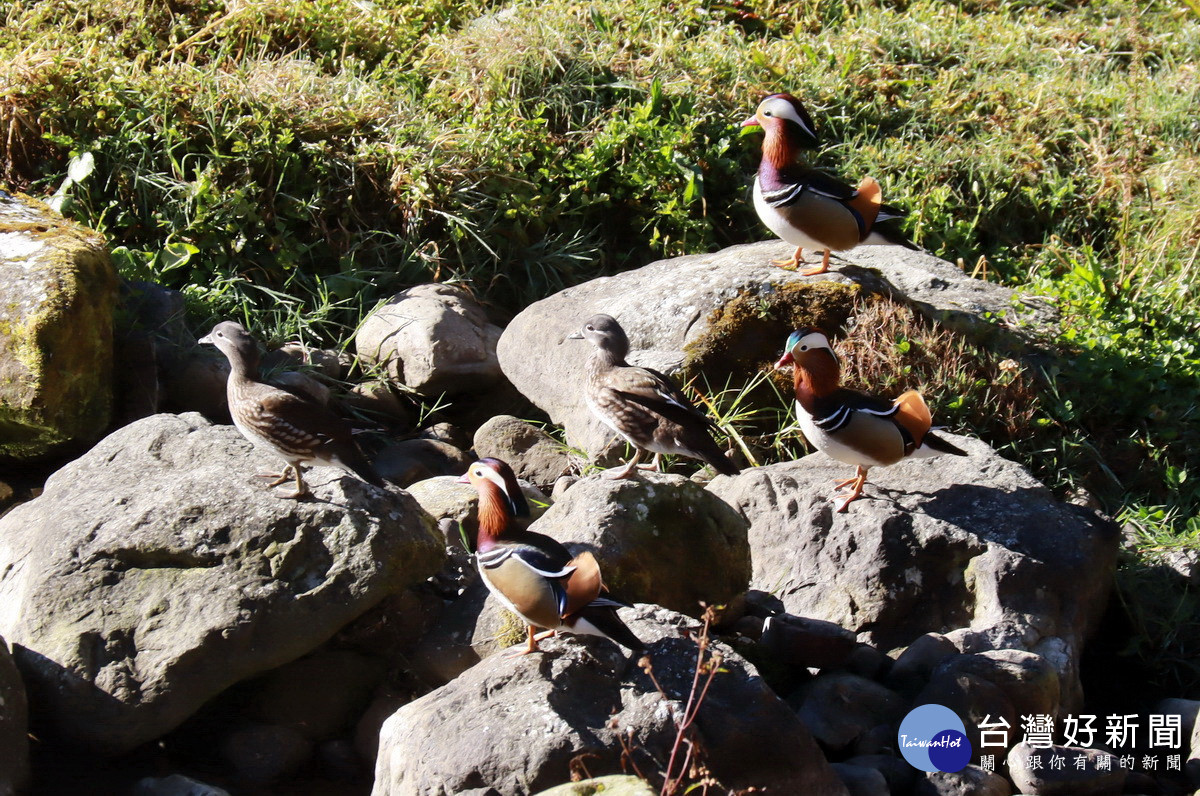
point(659, 540)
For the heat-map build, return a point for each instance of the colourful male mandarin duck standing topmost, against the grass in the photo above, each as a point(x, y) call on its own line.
point(805, 207)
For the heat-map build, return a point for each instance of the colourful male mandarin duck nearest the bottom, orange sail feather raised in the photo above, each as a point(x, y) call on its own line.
point(533, 576)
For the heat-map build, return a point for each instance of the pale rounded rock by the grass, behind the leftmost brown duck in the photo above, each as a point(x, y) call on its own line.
point(433, 339)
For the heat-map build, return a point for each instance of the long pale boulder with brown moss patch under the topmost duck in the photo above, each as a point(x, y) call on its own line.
point(669, 310)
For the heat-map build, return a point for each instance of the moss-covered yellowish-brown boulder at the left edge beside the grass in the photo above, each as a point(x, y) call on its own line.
point(58, 290)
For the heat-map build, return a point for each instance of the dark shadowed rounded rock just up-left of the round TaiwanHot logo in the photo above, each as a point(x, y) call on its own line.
point(841, 708)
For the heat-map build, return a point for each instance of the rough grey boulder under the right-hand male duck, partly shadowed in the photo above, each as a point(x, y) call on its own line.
point(975, 549)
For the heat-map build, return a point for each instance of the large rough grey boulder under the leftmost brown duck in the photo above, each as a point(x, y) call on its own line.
point(157, 571)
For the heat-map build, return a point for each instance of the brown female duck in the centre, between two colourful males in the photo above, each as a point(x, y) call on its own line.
point(643, 405)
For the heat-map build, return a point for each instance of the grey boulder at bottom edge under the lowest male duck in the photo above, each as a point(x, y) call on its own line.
point(514, 725)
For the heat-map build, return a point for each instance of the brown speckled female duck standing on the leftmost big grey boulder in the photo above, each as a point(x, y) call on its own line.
point(293, 428)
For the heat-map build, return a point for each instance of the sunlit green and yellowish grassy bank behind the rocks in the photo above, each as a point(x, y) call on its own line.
point(297, 163)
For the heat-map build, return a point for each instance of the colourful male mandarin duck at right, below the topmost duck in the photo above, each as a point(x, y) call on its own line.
point(851, 427)
